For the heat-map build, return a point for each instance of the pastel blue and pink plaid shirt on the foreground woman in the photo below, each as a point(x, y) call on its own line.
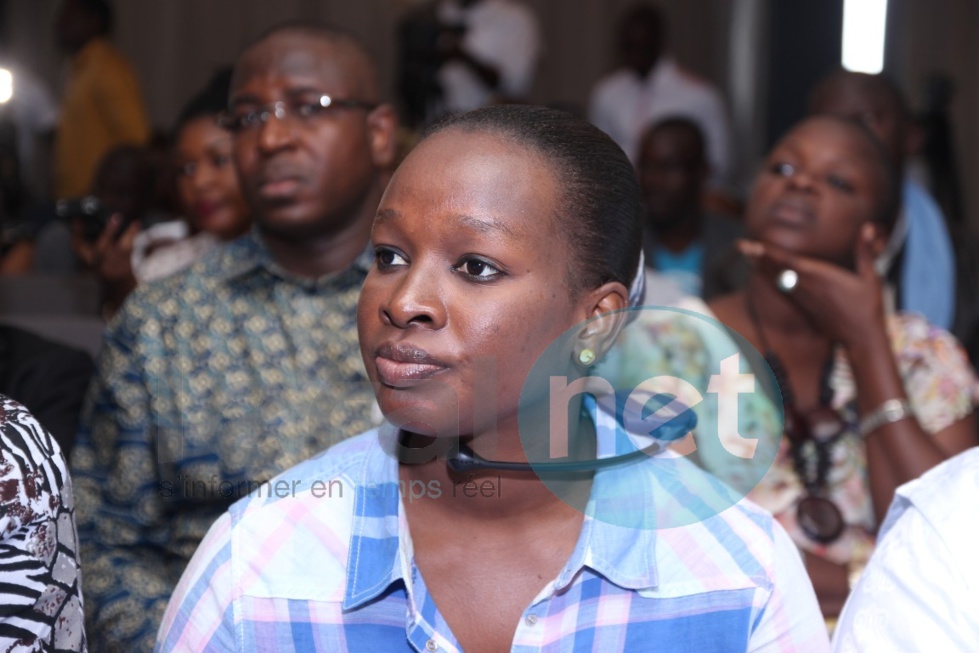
point(321, 559)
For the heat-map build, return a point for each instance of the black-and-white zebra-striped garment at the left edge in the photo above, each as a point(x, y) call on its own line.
point(40, 578)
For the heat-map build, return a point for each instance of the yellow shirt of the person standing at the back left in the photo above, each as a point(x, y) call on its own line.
point(101, 108)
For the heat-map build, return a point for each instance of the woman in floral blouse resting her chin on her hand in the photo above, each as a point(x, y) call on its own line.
point(871, 397)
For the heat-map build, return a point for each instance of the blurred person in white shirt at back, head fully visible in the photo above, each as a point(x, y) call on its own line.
point(650, 86)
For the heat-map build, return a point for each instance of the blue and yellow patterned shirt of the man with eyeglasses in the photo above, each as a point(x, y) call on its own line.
point(210, 382)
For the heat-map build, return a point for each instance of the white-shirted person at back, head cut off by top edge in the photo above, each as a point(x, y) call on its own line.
point(490, 49)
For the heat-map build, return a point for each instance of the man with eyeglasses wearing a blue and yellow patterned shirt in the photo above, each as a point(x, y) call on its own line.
point(215, 379)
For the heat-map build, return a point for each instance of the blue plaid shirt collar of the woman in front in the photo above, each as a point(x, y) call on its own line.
point(617, 540)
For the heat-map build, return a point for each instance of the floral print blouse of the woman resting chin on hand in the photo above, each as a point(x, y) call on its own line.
point(938, 379)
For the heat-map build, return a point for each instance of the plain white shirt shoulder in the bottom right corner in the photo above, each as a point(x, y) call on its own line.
point(920, 589)
